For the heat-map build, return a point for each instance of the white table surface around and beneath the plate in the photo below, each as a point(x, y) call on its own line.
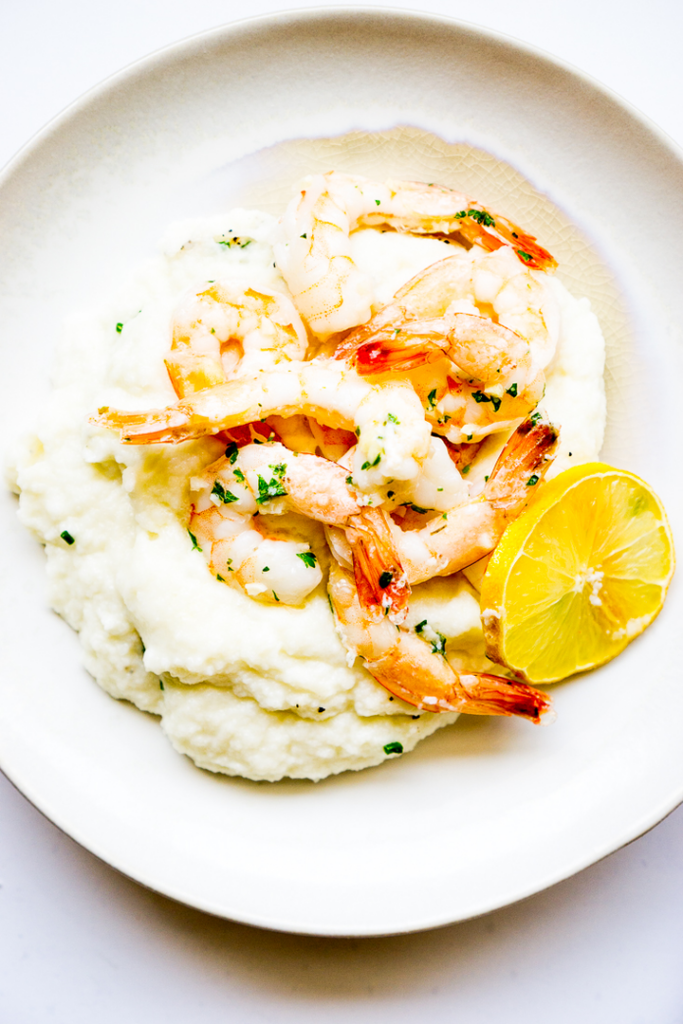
point(81, 944)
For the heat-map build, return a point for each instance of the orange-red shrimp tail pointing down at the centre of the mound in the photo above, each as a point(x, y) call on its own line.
point(380, 579)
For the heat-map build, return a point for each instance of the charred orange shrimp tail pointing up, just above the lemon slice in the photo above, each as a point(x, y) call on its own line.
point(523, 464)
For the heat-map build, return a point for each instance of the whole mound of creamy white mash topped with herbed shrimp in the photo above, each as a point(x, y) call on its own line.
point(273, 471)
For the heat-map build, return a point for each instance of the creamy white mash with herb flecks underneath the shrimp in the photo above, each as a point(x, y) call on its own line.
point(242, 688)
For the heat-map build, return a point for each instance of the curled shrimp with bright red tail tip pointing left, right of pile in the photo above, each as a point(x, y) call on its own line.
point(489, 327)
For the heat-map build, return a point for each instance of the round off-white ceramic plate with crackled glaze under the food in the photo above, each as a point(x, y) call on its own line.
point(491, 810)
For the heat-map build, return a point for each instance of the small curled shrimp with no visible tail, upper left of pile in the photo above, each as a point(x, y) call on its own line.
point(226, 326)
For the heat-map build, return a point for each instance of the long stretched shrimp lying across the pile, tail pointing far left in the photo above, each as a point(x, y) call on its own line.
point(394, 440)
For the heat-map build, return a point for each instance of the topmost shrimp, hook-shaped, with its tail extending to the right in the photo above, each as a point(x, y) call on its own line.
point(315, 255)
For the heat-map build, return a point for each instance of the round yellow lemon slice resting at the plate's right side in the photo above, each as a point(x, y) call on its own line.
point(578, 576)
